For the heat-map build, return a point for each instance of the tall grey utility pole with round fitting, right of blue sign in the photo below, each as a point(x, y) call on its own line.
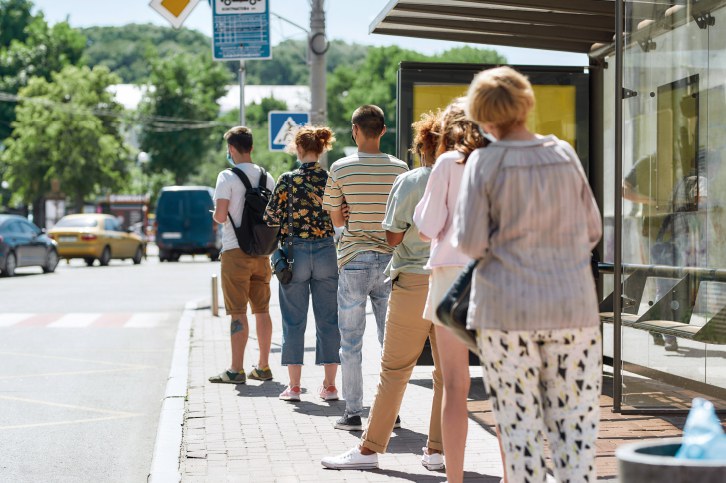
point(317, 47)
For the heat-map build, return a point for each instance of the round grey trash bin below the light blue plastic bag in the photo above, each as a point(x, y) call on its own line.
point(653, 461)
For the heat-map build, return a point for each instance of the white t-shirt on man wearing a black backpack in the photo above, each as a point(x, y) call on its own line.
point(230, 187)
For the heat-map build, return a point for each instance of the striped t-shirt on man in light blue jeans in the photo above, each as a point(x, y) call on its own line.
point(363, 181)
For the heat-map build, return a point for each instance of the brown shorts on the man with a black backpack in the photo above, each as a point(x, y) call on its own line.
point(245, 279)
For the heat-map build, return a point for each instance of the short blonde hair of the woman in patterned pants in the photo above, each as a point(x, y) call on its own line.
point(501, 96)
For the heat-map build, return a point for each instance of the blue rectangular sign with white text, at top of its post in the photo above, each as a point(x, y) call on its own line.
point(241, 29)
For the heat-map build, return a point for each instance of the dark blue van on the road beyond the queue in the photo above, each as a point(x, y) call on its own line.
point(184, 223)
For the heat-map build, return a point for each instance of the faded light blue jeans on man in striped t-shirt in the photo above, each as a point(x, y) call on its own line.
point(359, 279)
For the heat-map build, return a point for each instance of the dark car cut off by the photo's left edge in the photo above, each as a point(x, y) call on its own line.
point(22, 244)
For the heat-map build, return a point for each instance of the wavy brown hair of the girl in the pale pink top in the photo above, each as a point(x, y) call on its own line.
point(458, 132)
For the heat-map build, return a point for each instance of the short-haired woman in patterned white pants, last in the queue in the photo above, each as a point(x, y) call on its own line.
point(527, 212)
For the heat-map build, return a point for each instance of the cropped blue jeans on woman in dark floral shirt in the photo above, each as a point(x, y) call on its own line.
point(315, 272)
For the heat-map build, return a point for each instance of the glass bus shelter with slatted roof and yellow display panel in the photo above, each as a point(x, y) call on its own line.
point(653, 143)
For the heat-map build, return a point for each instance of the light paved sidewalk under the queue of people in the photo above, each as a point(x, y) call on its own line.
point(244, 433)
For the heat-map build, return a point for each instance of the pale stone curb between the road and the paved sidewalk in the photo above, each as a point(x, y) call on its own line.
point(165, 460)
